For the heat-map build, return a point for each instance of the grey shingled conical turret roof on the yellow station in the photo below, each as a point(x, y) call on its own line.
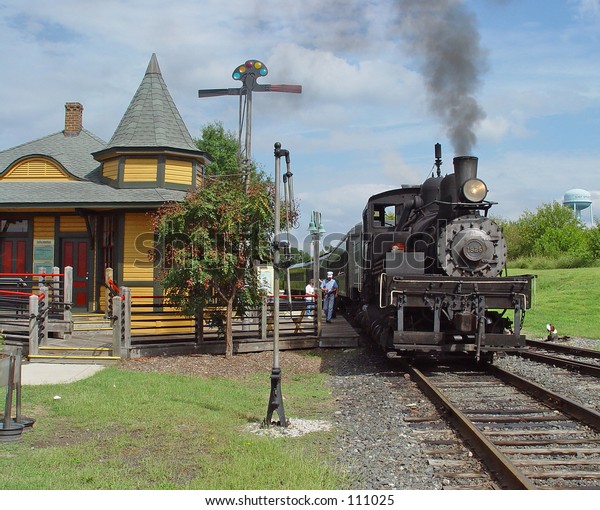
point(152, 119)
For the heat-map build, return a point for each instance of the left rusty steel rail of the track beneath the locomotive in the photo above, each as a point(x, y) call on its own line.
point(504, 469)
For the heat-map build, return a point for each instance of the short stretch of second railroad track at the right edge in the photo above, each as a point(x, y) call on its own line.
point(584, 361)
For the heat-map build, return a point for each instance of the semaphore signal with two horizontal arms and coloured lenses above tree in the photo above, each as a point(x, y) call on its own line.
point(248, 73)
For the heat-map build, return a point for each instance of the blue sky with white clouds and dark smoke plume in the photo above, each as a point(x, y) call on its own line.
point(515, 83)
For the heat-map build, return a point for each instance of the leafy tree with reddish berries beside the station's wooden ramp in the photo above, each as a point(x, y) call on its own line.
point(211, 238)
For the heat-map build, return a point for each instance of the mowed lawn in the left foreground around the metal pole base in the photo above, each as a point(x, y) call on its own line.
point(131, 430)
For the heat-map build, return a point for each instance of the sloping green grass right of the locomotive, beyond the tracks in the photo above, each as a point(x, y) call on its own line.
point(567, 298)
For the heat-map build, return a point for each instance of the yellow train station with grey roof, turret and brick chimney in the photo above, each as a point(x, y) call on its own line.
point(71, 199)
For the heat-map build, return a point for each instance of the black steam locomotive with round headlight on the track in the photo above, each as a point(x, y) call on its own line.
point(423, 270)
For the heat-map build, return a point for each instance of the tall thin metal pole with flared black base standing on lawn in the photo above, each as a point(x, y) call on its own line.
point(275, 397)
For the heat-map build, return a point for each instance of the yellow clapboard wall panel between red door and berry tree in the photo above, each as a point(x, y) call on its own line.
point(138, 241)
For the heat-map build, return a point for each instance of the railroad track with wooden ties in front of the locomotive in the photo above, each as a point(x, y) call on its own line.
point(527, 437)
